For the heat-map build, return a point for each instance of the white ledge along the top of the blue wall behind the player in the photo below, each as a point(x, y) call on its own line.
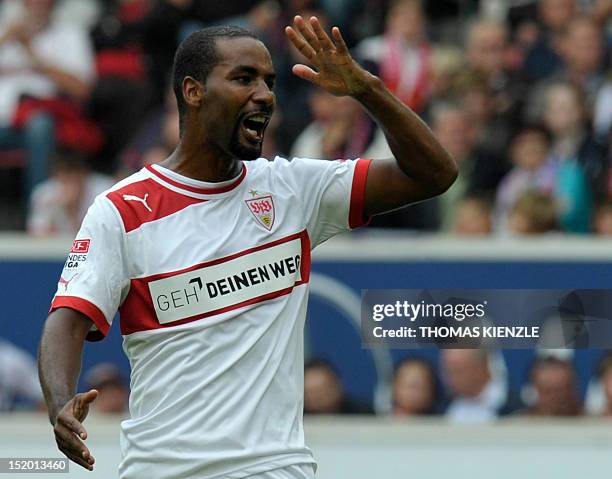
point(382, 245)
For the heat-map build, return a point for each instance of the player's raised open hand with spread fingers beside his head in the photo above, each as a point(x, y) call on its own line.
point(336, 71)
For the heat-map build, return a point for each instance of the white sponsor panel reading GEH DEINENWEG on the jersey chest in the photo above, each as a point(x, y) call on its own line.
point(222, 285)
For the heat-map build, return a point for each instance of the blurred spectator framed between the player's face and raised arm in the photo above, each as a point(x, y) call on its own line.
point(341, 130)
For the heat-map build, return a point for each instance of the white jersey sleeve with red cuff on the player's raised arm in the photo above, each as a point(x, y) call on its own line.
point(333, 195)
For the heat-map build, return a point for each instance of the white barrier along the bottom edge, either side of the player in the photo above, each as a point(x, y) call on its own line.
point(378, 448)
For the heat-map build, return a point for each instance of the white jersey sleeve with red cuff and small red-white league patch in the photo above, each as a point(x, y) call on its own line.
point(95, 277)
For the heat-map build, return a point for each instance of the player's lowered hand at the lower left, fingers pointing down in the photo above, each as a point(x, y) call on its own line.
point(69, 430)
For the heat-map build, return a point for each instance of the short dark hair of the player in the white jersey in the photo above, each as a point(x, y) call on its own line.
point(197, 55)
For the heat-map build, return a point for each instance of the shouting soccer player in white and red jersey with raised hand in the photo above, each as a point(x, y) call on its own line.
point(207, 257)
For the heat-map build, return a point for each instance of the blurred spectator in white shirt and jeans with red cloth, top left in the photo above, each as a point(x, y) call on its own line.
point(43, 59)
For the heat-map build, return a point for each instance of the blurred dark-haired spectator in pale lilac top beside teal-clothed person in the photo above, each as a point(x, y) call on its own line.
point(534, 170)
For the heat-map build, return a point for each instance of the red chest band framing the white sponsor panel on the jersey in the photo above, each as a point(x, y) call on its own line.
point(138, 313)
